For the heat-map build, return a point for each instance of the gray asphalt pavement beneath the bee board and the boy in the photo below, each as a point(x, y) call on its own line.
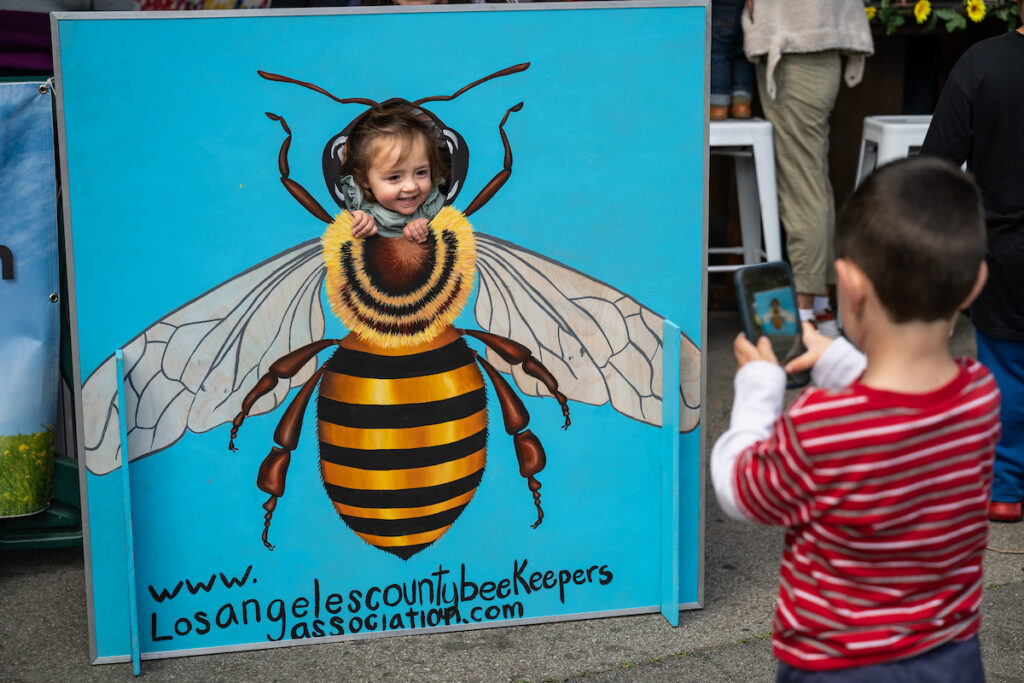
point(44, 631)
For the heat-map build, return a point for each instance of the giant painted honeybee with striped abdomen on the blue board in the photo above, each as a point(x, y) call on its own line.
point(402, 417)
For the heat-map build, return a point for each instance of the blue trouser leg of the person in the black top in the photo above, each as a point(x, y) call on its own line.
point(1005, 359)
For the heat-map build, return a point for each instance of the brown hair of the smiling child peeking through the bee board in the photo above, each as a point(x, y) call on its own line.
point(395, 122)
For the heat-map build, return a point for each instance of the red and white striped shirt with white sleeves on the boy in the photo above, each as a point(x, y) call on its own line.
point(885, 496)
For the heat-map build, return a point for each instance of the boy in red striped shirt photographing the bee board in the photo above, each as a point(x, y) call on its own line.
point(882, 474)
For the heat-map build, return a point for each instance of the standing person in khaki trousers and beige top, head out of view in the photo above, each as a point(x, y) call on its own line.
point(798, 50)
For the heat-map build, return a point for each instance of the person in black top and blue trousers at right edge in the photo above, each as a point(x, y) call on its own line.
point(980, 120)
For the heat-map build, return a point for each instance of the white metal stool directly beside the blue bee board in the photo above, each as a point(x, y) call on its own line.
point(749, 142)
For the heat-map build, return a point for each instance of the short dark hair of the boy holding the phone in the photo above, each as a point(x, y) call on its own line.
point(917, 229)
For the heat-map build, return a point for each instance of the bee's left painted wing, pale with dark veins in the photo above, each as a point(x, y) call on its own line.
point(192, 369)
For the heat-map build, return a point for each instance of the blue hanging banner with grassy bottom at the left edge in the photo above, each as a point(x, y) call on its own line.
point(30, 333)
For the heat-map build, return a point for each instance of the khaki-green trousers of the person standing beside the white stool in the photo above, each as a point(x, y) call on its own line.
point(806, 91)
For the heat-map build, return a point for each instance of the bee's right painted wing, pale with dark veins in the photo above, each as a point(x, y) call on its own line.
point(601, 345)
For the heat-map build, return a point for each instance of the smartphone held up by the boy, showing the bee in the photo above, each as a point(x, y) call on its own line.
point(769, 309)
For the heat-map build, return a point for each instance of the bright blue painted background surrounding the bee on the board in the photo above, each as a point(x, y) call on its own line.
point(175, 189)
